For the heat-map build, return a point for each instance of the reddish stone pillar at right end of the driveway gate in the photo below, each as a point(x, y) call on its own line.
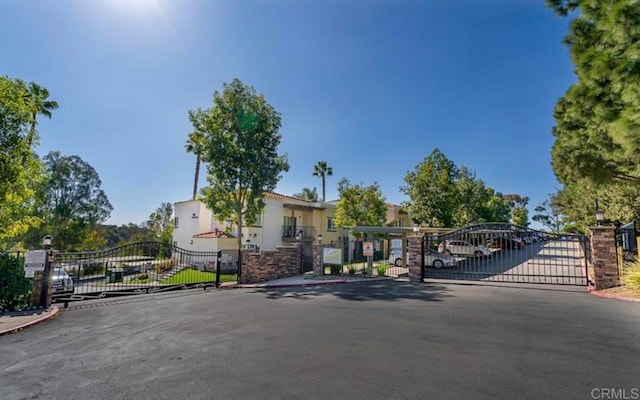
point(604, 257)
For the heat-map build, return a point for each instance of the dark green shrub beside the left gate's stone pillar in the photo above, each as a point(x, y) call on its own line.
point(15, 289)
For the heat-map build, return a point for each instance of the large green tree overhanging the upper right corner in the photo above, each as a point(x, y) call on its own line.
point(597, 120)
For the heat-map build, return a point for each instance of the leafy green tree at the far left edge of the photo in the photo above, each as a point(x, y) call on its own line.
point(20, 169)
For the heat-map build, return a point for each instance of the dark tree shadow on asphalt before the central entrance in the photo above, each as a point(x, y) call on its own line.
point(378, 290)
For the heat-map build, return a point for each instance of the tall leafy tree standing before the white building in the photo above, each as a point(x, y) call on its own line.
point(242, 134)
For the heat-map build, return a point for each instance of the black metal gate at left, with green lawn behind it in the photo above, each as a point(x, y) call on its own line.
point(137, 268)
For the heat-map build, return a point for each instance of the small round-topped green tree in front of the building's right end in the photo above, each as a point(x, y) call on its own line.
point(360, 205)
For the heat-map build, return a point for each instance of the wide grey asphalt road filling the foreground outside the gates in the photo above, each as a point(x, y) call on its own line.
point(372, 340)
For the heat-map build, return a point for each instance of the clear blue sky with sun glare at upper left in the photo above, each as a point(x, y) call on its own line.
point(370, 86)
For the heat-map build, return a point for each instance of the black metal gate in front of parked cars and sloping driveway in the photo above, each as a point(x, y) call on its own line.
point(507, 253)
